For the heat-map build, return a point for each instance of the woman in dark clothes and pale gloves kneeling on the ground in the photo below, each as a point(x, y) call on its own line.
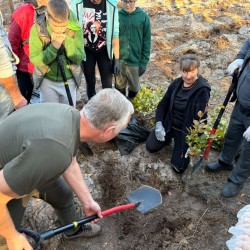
point(185, 97)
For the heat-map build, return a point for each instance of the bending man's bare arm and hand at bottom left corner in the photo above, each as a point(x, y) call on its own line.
point(15, 240)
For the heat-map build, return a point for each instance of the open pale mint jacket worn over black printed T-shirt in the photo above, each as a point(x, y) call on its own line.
point(112, 21)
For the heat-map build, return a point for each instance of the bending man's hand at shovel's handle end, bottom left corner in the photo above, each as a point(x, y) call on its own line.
point(18, 242)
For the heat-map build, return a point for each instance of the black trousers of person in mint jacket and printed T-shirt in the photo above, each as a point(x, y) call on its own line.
point(104, 66)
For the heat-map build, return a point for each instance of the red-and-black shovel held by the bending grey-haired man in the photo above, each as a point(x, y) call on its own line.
point(143, 199)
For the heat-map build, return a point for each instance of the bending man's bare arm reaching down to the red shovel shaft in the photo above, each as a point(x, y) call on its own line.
point(73, 177)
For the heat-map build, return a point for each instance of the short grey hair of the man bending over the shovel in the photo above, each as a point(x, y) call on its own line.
point(109, 106)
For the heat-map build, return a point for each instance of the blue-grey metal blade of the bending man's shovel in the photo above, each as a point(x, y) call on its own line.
point(147, 197)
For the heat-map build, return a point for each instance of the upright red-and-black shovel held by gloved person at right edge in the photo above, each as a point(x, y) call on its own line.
point(200, 163)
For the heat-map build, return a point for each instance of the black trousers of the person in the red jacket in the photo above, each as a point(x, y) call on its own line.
point(25, 84)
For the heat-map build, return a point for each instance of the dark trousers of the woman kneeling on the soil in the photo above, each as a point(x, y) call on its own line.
point(178, 160)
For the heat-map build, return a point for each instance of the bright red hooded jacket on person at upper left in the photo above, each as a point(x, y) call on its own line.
point(19, 32)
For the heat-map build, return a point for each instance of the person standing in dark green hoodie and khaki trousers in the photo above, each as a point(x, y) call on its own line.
point(135, 47)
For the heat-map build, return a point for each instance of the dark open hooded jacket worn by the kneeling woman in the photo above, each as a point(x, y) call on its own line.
point(197, 102)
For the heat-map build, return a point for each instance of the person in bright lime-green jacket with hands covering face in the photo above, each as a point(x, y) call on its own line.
point(59, 28)
